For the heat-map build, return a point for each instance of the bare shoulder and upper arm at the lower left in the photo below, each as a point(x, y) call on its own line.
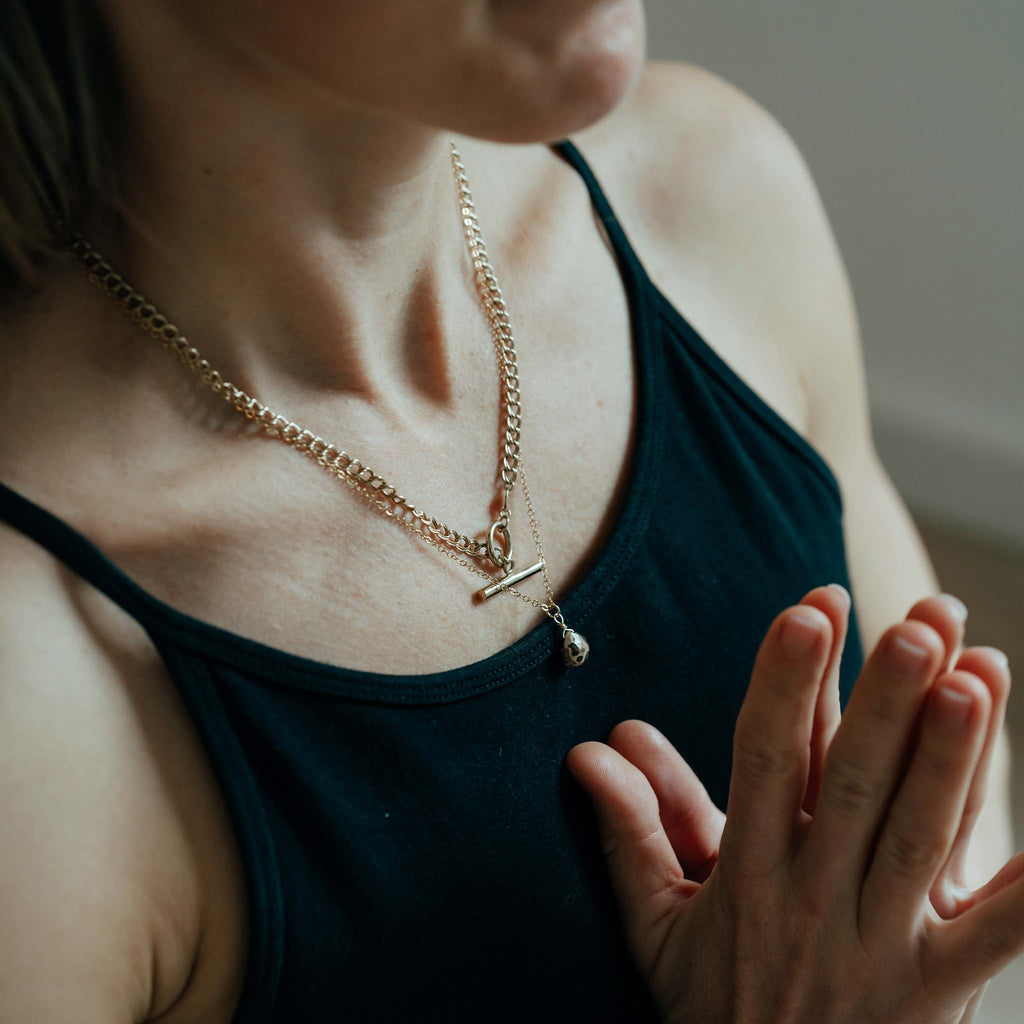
point(98, 868)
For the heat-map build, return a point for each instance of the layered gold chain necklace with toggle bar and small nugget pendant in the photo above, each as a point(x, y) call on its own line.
point(369, 485)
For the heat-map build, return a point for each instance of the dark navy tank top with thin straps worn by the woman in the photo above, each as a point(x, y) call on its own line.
point(414, 847)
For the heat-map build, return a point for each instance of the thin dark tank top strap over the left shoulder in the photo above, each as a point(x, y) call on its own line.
point(78, 554)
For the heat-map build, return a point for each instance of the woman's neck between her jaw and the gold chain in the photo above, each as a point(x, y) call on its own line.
point(303, 244)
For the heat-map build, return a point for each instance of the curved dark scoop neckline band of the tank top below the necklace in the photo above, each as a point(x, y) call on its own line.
point(169, 627)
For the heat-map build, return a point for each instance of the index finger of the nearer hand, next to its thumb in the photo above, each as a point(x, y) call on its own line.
point(772, 745)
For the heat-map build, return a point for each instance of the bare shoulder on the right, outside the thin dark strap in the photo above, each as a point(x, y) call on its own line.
point(734, 231)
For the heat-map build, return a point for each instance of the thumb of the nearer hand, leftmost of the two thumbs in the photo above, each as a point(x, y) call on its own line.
point(643, 866)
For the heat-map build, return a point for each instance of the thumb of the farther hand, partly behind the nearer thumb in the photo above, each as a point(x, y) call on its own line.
point(692, 822)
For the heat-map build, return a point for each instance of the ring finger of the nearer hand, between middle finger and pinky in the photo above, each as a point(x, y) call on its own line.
point(925, 816)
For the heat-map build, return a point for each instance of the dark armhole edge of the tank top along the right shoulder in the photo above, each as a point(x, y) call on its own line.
point(720, 371)
